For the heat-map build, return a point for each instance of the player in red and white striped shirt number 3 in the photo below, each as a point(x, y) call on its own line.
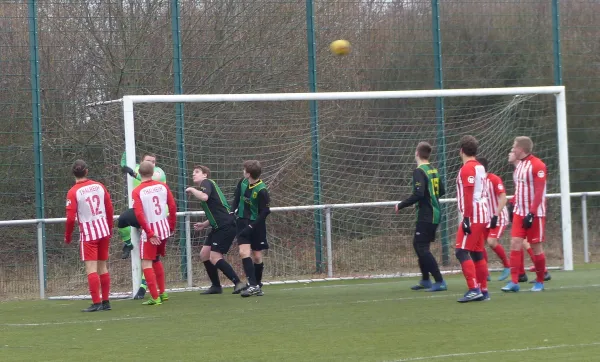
point(156, 212)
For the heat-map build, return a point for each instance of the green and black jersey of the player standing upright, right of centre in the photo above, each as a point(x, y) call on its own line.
point(427, 189)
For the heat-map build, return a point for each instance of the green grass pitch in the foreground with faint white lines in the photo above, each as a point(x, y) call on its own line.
point(360, 320)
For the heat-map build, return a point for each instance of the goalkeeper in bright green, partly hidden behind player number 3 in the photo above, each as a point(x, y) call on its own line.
point(128, 219)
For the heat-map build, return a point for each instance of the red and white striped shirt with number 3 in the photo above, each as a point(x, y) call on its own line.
point(151, 201)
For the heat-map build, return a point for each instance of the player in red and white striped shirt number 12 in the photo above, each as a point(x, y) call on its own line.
point(88, 202)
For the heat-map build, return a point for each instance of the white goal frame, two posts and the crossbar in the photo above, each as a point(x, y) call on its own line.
point(130, 101)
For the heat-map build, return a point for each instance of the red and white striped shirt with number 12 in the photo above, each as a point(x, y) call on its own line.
point(88, 202)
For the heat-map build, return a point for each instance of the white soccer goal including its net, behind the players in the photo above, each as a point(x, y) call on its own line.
point(334, 163)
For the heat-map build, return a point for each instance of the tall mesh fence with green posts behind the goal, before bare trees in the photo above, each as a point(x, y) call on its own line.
point(58, 56)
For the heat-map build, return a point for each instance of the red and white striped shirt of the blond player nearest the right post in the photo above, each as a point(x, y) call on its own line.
point(530, 187)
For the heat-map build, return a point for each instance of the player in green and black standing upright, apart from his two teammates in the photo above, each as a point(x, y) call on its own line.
point(427, 189)
